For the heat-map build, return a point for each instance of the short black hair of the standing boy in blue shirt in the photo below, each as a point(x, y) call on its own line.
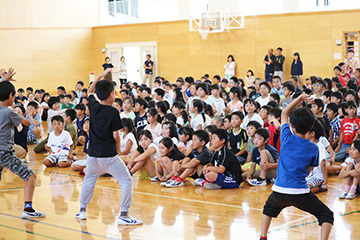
point(302, 119)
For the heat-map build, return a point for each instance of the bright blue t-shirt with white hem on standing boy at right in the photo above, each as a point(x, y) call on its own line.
point(297, 155)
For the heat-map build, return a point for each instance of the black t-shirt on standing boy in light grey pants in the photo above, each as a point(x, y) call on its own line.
point(104, 121)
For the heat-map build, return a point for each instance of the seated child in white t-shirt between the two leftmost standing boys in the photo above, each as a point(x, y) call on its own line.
point(59, 144)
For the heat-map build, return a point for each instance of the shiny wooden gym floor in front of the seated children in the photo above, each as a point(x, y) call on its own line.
point(188, 212)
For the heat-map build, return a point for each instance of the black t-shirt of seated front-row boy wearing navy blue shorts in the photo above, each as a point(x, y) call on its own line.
point(227, 158)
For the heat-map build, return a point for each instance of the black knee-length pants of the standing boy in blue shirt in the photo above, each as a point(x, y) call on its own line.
point(307, 202)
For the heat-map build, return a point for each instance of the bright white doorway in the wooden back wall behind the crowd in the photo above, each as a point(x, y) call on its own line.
point(135, 56)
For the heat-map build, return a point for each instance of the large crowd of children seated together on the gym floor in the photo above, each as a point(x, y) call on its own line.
point(219, 132)
